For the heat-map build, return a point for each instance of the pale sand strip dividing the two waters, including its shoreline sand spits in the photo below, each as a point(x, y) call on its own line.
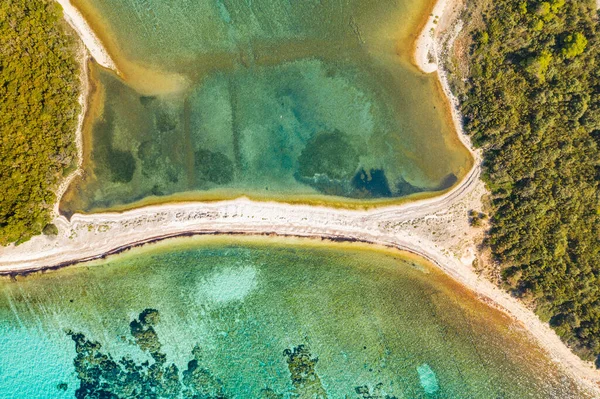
point(436, 229)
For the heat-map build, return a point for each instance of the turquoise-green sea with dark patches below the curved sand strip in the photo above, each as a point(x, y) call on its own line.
point(262, 319)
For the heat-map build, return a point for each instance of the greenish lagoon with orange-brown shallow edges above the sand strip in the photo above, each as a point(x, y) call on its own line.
point(311, 101)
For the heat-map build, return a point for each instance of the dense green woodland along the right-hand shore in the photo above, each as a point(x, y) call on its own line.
point(532, 102)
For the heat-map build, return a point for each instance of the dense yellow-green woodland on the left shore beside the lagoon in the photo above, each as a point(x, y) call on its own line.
point(39, 87)
